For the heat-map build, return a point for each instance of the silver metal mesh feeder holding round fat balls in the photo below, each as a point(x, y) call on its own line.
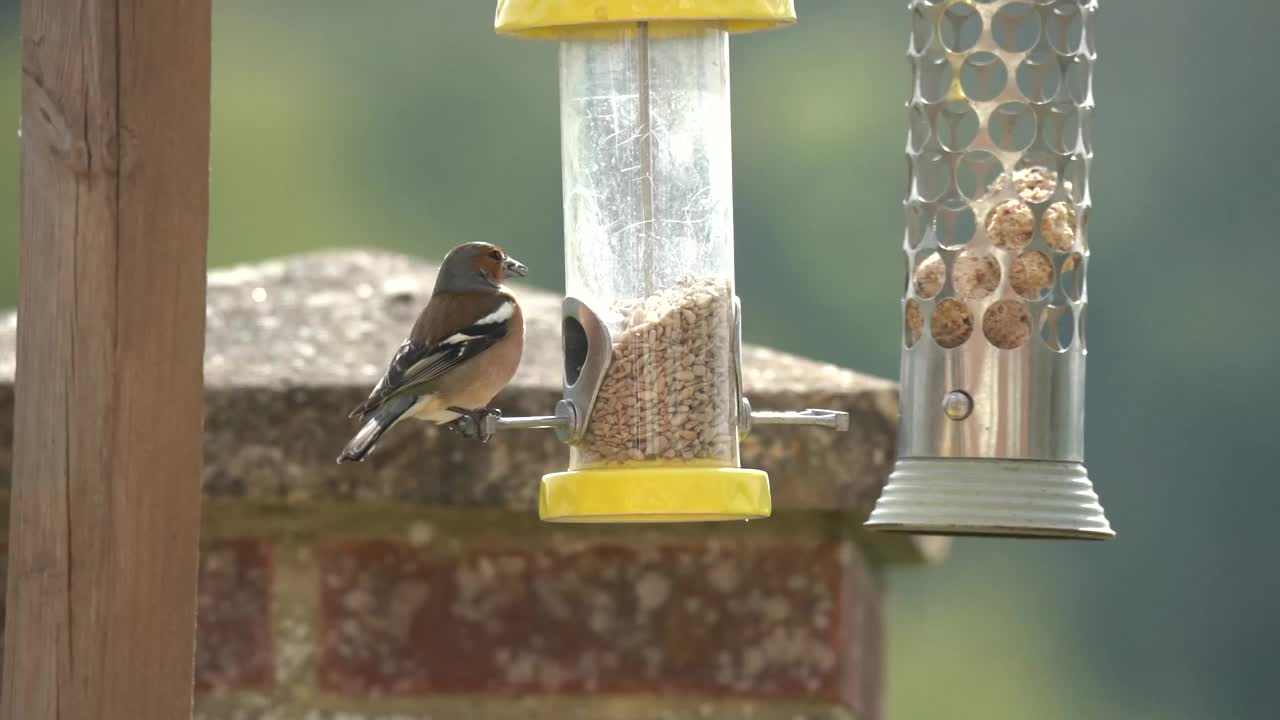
point(993, 389)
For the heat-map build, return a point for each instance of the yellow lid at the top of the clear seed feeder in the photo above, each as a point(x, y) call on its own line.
point(561, 19)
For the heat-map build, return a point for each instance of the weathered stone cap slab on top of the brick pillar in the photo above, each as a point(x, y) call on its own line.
point(294, 344)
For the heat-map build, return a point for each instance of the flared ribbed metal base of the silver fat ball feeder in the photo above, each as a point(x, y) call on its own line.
point(991, 498)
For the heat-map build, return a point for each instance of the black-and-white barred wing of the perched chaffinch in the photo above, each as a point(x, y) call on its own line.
point(418, 364)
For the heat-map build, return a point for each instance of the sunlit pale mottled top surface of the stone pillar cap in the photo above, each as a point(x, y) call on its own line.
point(332, 320)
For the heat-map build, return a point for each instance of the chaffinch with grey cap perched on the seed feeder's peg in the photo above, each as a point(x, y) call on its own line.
point(463, 350)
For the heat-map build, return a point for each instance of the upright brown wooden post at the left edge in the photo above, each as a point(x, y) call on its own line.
point(107, 479)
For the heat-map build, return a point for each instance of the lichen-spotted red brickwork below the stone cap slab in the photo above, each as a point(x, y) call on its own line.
point(413, 614)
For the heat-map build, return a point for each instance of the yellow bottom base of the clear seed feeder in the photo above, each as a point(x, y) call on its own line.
point(655, 495)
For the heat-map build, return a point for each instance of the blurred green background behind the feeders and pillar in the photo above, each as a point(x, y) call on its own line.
point(408, 125)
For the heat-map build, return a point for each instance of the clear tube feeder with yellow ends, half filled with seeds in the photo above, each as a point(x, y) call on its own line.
point(653, 405)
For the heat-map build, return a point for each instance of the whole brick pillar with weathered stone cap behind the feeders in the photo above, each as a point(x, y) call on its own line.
point(423, 586)
